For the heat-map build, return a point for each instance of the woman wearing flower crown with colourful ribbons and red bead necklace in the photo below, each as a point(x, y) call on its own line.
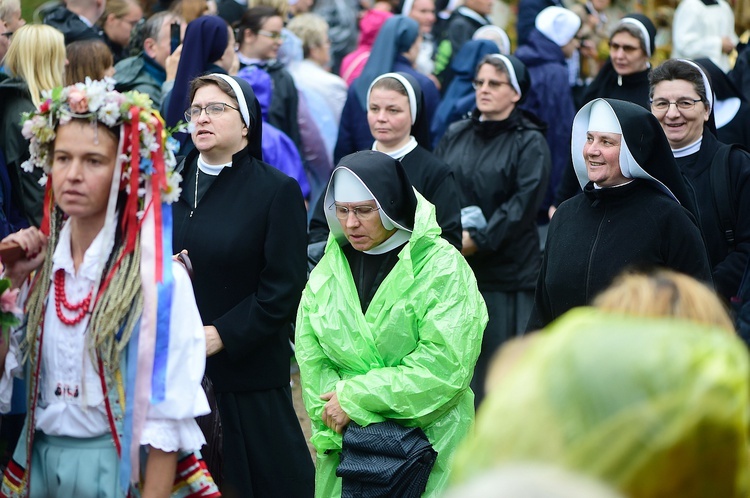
point(112, 349)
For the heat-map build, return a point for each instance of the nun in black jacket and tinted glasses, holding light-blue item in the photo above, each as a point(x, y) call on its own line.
point(501, 242)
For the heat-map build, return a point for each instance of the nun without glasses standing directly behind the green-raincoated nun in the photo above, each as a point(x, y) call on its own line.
point(399, 124)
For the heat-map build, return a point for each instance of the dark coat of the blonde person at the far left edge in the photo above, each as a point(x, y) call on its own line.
point(26, 193)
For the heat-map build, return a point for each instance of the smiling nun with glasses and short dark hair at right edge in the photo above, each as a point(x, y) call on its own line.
point(682, 101)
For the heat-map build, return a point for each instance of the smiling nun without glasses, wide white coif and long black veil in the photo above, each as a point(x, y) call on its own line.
point(635, 210)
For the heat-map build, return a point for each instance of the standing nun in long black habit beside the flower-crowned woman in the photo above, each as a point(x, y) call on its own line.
point(243, 223)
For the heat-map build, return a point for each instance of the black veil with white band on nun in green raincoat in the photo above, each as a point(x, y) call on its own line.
point(386, 179)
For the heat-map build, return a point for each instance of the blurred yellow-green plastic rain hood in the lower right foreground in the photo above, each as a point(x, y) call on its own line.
point(653, 407)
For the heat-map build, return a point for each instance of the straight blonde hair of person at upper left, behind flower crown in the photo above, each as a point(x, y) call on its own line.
point(37, 55)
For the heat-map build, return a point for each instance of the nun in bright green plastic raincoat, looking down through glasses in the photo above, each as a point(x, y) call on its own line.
point(390, 321)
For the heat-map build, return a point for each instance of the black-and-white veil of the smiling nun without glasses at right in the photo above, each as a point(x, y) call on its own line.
point(649, 155)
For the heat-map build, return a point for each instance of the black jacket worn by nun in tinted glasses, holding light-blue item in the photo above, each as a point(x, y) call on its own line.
point(502, 167)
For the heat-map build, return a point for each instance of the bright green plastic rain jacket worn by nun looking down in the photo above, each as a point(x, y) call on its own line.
point(409, 358)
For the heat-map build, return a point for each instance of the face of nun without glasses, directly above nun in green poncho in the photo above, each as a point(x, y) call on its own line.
point(389, 117)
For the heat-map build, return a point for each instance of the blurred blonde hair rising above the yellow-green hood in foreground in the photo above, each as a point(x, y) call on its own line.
point(663, 292)
